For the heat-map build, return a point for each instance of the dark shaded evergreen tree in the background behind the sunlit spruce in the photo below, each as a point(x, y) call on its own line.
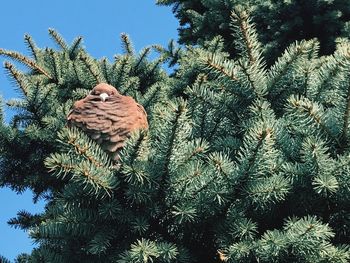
point(279, 23)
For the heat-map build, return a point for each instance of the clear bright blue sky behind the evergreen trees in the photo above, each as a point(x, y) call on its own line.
point(100, 23)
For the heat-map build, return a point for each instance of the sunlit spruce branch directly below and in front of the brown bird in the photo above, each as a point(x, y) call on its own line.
point(84, 162)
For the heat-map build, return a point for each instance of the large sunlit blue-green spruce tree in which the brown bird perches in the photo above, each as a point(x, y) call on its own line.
point(241, 163)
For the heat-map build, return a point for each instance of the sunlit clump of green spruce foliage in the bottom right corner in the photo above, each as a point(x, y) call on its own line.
point(300, 240)
